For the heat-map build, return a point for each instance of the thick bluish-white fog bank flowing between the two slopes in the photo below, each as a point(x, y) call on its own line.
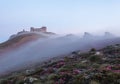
point(46, 48)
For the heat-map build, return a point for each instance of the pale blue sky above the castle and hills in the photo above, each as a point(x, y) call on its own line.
point(63, 16)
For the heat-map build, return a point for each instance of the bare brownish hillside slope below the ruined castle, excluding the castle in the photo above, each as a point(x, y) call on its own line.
point(19, 40)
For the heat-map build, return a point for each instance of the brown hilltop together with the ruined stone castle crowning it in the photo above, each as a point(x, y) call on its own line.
point(24, 37)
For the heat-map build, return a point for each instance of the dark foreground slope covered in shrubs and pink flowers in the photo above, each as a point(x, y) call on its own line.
point(93, 67)
